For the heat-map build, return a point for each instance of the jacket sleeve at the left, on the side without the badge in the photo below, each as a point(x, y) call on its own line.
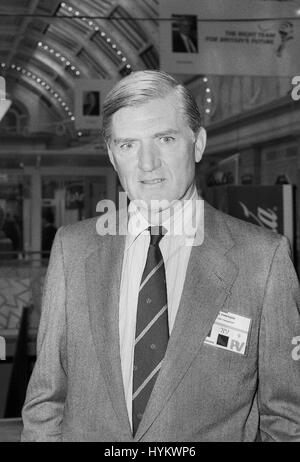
point(44, 405)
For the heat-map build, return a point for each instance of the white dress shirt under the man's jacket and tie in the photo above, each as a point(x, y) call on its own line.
point(175, 247)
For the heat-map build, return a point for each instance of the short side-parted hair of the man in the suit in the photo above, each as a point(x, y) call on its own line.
point(141, 87)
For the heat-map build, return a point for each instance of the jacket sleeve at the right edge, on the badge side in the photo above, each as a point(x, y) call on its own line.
point(279, 355)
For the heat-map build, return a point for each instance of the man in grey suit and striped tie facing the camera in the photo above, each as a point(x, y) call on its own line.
point(183, 328)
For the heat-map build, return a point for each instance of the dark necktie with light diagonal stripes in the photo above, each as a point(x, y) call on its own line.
point(152, 330)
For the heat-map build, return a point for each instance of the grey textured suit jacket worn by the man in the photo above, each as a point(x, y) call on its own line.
point(203, 393)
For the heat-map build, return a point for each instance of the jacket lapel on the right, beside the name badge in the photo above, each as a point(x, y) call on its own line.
point(209, 277)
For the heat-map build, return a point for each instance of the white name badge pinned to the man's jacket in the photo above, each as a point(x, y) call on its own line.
point(230, 332)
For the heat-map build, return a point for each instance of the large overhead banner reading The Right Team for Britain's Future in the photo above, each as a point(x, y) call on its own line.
point(230, 37)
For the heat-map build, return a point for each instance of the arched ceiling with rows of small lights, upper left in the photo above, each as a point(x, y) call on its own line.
point(46, 45)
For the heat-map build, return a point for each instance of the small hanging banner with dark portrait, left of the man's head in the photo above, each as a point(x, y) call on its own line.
point(89, 96)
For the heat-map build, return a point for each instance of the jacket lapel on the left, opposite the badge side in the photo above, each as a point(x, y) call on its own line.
point(103, 277)
